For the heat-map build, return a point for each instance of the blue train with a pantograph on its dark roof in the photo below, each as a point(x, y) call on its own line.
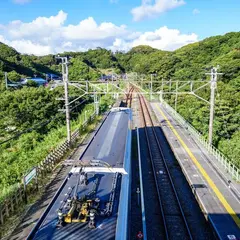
point(111, 145)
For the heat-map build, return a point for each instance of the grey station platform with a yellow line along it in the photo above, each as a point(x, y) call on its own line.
point(220, 203)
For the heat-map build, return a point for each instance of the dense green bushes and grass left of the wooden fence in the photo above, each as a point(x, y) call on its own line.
point(31, 126)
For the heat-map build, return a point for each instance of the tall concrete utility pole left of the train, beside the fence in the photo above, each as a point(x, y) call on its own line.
point(67, 109)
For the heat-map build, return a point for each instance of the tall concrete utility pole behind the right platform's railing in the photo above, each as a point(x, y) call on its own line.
point(213, 86)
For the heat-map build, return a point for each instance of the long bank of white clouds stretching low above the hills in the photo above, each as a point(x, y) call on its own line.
point(46, 35)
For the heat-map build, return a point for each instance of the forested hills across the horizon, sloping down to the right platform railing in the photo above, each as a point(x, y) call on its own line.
point(186, 63)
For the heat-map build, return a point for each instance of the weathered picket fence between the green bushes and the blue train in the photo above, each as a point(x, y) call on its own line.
point(8, 207)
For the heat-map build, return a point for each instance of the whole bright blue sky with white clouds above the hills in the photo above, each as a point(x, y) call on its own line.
point(164, 24)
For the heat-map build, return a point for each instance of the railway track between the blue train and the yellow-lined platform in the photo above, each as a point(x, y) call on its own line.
point(168, 220)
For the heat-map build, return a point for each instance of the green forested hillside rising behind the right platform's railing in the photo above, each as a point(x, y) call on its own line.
point(190, 63)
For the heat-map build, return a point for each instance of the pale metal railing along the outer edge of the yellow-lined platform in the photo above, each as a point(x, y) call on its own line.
point(223, 160)
